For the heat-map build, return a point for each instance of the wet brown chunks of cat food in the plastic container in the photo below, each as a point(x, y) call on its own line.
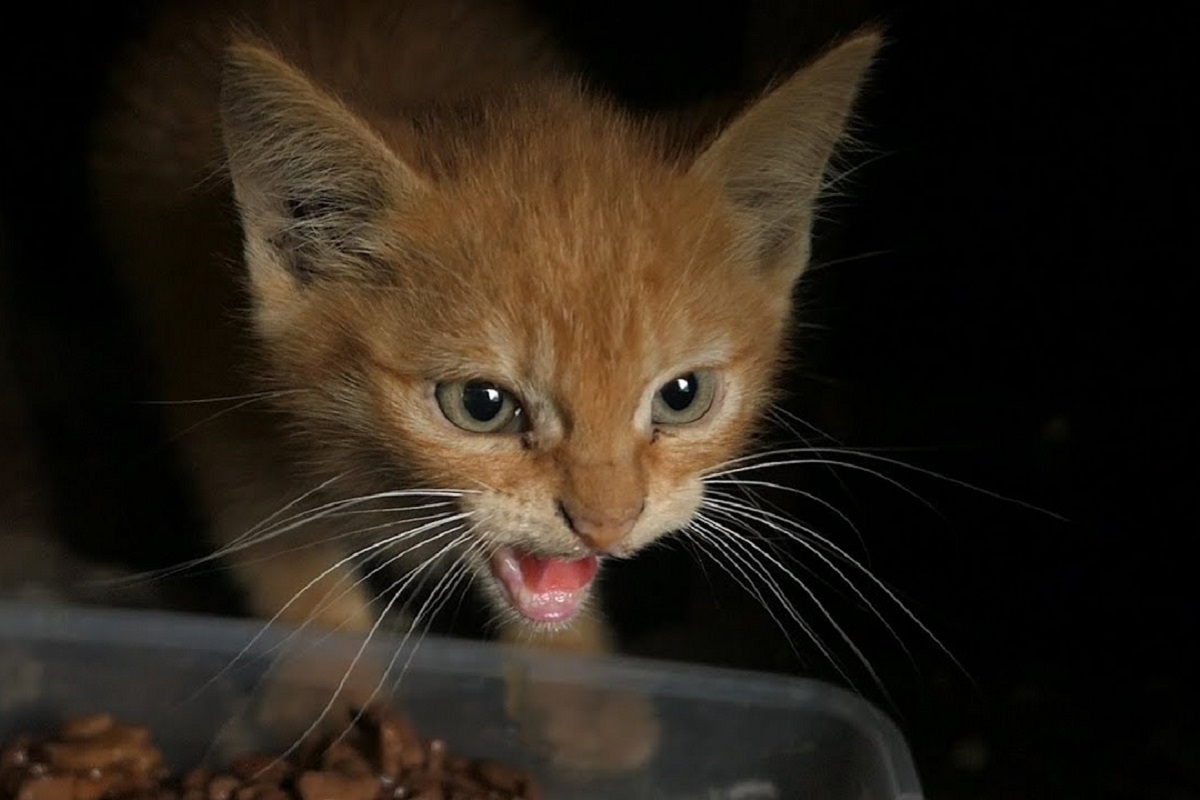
point(382, 759)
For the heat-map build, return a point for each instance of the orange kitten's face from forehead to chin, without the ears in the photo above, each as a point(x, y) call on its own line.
point(574, 357)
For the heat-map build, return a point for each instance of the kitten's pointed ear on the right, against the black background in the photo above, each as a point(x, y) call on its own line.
point(772, 159)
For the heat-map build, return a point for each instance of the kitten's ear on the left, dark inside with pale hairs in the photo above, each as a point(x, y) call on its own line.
point(310, 178)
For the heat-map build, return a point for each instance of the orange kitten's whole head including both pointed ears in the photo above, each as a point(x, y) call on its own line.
point(554, 322)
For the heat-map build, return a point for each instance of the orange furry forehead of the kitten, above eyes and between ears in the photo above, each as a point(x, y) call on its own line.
point(574, 261)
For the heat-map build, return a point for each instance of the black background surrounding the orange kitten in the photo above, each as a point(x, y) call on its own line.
point(1004, 293)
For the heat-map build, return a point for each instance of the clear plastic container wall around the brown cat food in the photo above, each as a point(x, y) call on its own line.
point(725, 735)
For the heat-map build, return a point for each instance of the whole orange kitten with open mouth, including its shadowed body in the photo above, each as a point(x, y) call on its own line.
point(497, 329)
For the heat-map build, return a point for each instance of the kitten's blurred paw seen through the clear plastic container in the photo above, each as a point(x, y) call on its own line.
point(584, 730)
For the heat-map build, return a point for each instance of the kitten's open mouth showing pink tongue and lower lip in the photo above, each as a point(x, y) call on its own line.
point(544, 590)
